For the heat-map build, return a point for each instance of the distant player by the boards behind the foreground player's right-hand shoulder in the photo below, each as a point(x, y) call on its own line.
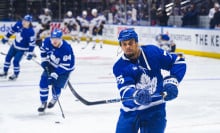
point(165, 43)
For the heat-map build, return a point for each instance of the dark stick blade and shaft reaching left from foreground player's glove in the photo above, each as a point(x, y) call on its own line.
point(86, 102)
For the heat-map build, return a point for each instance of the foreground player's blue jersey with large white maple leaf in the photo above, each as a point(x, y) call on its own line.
point(145, 73)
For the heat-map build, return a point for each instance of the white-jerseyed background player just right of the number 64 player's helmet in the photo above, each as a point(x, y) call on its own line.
point(72, 26)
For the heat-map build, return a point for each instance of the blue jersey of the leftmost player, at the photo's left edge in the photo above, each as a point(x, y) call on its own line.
point(25, 37)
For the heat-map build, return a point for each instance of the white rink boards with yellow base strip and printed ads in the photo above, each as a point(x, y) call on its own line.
point(193, 41)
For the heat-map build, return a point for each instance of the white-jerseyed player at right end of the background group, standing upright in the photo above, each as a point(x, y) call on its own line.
point(96, 26)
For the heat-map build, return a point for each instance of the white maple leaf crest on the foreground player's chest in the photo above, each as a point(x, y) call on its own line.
point(147, 83)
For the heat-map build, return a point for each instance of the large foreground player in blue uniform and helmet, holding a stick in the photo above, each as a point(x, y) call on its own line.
point(138, 75)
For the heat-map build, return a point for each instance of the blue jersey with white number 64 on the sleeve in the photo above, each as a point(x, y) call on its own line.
point(61, 58)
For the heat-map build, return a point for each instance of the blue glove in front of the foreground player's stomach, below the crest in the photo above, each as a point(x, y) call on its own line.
point(142, 97)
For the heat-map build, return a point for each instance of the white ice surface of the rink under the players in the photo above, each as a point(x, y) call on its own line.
point(196, 110)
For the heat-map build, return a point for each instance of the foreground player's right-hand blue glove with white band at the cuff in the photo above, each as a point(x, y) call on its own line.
point(170, 84)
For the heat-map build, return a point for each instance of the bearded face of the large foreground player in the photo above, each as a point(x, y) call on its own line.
point(130, 48)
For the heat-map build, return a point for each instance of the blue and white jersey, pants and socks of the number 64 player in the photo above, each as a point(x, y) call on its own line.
point(61, 61)
